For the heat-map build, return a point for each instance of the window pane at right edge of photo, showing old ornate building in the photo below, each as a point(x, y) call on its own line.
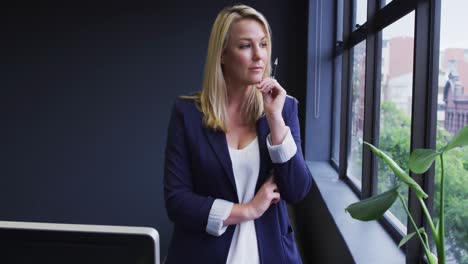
point(452, 115)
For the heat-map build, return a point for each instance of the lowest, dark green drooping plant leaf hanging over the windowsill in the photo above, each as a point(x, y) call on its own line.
point(374, 207)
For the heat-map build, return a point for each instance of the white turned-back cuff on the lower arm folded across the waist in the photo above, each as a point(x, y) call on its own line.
point(219, 212)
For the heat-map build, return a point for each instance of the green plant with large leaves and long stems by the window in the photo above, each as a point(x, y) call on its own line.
point(419, 162)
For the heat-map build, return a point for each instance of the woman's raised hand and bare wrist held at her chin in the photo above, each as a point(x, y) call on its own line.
point(274, 97)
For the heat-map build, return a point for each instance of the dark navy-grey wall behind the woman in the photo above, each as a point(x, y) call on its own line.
point(85, 97)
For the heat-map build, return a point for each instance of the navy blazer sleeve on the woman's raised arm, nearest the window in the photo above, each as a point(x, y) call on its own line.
point(293, 177)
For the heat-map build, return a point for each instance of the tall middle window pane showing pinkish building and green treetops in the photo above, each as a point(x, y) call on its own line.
point(395, 104)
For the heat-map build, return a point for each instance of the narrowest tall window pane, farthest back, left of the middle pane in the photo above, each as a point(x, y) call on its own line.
point(354, 170)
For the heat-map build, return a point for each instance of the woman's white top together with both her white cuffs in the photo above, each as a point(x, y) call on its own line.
point(246, 167)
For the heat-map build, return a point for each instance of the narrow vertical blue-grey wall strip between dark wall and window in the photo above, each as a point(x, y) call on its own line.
point(320, 80)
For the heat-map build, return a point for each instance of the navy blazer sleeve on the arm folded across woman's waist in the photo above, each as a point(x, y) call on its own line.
point(184, 207)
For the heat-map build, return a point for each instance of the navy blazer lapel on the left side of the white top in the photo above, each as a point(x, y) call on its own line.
point(217, 140)
